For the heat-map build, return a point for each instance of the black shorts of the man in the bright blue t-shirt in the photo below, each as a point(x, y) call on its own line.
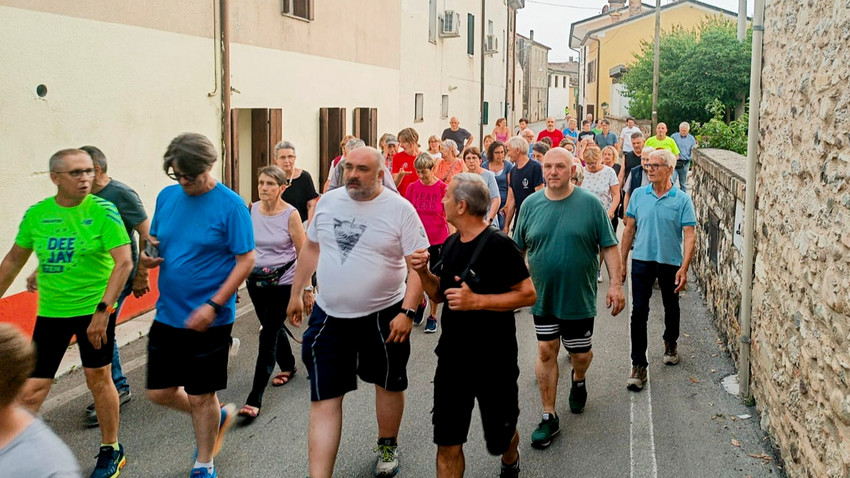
point(187, 358)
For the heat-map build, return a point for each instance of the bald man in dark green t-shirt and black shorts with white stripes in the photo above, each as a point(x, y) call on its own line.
point(562, 229)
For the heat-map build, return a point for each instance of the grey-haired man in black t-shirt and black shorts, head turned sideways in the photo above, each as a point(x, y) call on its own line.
point(482, 277)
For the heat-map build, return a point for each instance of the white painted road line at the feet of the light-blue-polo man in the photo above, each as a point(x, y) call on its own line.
point(641, 432)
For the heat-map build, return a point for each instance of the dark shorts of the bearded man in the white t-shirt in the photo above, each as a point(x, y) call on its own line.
point(336, 351)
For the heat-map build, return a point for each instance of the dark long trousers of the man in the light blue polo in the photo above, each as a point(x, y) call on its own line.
point(643, 277)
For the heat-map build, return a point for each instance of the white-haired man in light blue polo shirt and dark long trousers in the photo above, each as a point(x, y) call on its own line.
point(657, 218)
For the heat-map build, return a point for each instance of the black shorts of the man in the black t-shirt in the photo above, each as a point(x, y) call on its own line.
point(456, 386)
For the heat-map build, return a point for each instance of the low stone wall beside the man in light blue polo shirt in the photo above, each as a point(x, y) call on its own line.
point(718, 187)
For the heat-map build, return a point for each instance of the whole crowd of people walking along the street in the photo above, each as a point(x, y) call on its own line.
point(485, 232)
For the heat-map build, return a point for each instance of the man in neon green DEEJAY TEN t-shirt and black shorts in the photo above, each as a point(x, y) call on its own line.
point(84, 260)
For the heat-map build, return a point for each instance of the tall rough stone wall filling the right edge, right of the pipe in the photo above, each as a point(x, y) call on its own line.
point(801, 291)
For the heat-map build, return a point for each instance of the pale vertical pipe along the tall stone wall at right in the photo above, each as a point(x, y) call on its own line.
point(745, 319)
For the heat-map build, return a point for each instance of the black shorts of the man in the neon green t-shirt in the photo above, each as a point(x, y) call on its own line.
point(52, 336)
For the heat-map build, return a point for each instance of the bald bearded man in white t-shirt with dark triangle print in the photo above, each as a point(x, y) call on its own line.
point(361, 234)
